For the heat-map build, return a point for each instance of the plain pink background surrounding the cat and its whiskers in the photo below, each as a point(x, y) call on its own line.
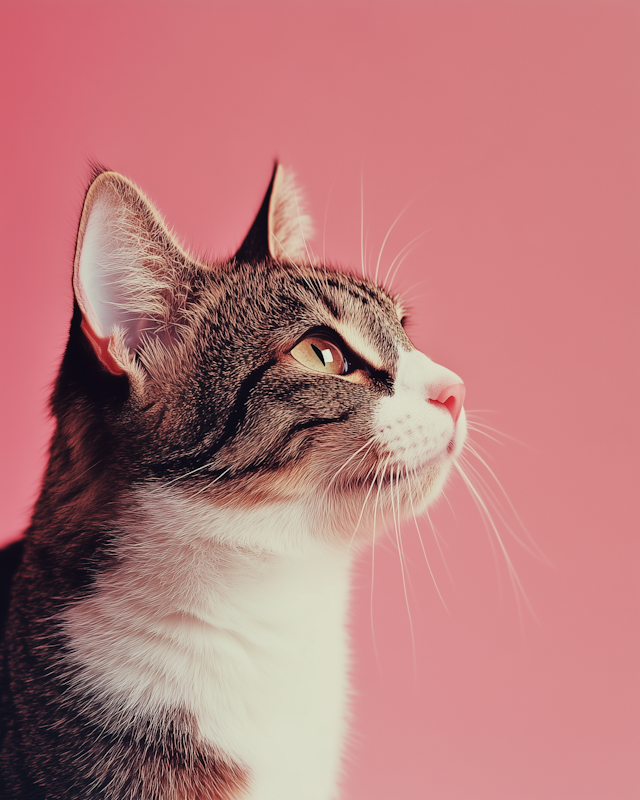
point(513, 130)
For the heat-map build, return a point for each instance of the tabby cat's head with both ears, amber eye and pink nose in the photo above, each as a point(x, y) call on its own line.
point(266, 379)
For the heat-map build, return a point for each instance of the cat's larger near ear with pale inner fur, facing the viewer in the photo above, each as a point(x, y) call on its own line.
point(125, 269)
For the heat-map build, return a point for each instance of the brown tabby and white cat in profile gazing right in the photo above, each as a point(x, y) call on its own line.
point(227, 436)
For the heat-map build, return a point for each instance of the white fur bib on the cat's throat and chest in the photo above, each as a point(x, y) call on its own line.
point(237, 617)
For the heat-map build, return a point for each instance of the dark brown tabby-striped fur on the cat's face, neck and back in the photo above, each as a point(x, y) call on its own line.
point(213, 395)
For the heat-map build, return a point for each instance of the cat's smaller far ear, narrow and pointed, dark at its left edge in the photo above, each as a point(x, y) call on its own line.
point(281, 227)
